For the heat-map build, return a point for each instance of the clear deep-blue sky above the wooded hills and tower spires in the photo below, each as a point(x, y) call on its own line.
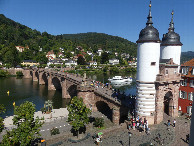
point(123, 18)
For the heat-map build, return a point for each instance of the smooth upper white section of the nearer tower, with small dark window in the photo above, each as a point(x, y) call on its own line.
point(148, 55)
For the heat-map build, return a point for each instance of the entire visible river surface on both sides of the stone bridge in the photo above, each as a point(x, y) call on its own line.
point(21, 90)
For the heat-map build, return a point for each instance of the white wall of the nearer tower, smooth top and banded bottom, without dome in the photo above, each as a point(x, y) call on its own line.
point(147, 68)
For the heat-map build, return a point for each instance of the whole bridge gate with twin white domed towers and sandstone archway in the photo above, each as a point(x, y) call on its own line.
point(157, 74)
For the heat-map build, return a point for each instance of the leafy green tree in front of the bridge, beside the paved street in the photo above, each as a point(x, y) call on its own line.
point(78, 114)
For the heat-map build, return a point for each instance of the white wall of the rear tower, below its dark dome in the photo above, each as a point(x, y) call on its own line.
point(168, 52)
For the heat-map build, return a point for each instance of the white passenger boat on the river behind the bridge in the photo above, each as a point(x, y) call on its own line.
point(120, 80)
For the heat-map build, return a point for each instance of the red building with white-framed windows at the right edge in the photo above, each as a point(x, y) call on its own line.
point(187, 87)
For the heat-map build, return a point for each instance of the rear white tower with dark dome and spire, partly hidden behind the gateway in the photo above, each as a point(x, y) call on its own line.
point(171, 45)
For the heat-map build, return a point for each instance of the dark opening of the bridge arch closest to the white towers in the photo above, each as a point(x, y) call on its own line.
point(104, 108)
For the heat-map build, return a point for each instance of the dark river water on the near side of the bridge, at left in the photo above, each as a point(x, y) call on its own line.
point(26, 90)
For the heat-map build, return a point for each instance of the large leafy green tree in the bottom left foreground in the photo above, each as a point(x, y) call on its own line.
point(27, 126)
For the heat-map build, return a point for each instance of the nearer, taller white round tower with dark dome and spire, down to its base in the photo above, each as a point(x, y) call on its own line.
point(148, 55)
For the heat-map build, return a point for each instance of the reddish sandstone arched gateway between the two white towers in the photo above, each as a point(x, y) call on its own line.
point(167, 91)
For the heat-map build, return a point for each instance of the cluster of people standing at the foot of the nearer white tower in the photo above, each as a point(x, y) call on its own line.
point(139, 124)
